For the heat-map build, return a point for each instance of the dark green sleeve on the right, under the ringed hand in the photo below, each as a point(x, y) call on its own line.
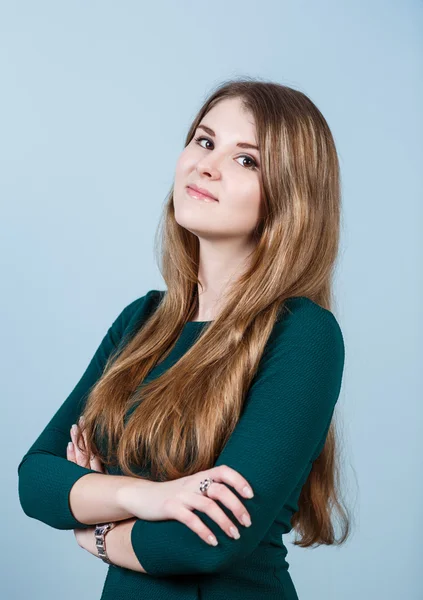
point(282, 428)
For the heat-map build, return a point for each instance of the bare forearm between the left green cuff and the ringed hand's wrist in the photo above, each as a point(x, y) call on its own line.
point(97, 497)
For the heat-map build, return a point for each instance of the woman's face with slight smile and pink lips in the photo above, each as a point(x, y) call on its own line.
point(216, 162)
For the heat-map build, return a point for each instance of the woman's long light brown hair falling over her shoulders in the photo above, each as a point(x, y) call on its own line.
point(296, 246)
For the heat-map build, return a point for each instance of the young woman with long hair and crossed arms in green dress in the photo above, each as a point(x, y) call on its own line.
point(207, 411)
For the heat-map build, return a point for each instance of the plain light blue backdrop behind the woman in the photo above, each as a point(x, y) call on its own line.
point(96, 99)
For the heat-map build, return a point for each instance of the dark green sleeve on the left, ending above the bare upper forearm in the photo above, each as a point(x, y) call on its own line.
point(45, 475)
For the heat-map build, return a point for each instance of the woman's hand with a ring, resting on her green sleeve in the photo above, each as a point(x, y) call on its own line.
point(177, 498)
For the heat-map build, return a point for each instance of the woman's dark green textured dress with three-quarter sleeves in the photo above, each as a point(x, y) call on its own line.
point(281, 431)
